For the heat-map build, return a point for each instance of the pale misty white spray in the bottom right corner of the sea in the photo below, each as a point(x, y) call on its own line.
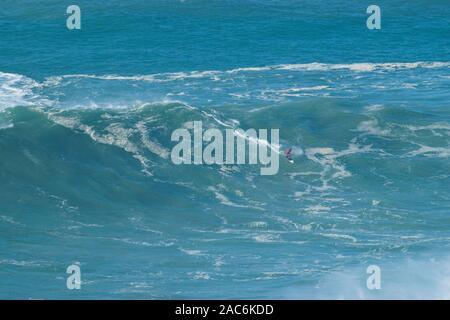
point(410, 278)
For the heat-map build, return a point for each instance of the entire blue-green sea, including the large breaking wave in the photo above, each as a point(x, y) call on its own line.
point(86, 178)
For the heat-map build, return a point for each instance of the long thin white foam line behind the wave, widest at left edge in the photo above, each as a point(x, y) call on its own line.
point(16, 89)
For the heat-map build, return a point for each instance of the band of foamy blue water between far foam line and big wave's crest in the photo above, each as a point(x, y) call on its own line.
point(240, 85)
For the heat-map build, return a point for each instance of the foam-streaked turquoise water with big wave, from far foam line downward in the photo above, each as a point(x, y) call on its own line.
point(86, 176)
